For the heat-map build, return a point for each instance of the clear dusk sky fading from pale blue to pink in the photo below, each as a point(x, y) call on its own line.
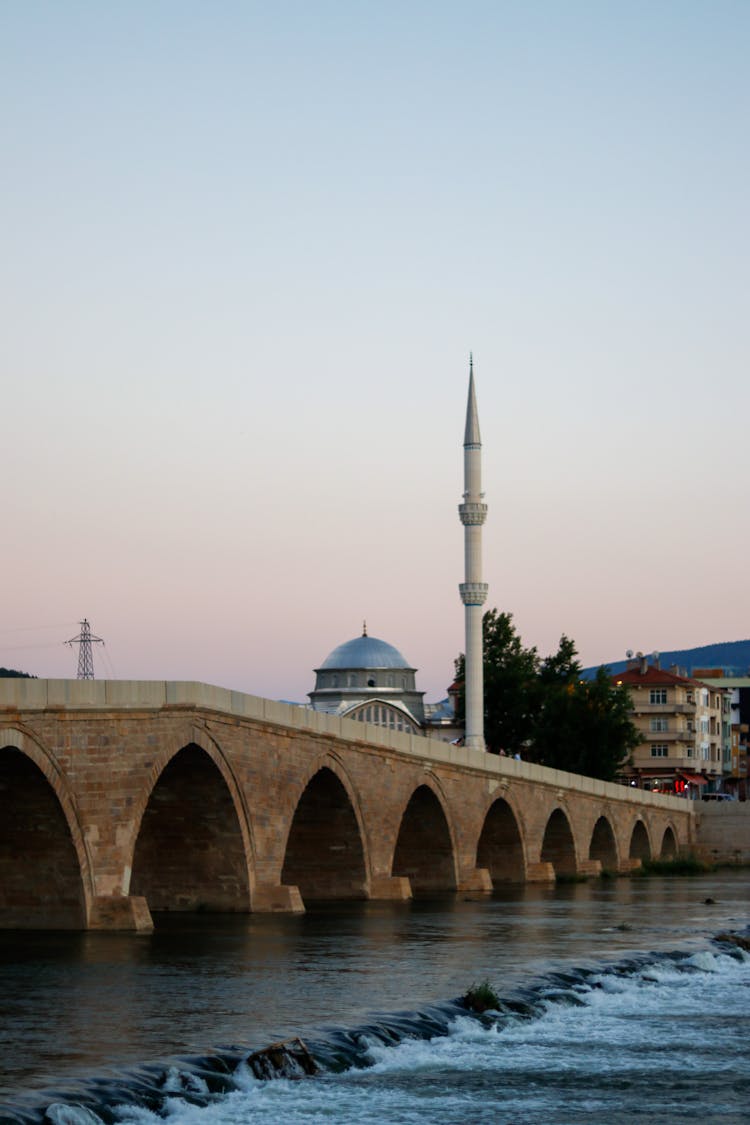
point(246, 250)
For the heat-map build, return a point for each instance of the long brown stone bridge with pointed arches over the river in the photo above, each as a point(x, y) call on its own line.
point(123, 798)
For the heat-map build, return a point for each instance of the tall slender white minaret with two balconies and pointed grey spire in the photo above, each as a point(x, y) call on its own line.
point(474, 591)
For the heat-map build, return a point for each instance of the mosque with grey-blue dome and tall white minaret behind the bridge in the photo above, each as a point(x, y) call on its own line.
point(368, 680)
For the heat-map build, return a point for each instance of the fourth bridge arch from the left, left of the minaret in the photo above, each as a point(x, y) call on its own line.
point(426, 848)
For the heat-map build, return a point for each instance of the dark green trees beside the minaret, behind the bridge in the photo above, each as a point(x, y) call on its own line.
point(546, 713)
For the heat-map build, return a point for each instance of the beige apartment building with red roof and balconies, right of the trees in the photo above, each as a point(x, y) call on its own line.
point(685, 727)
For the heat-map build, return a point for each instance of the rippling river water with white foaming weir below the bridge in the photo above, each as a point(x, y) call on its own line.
point(618, 1006)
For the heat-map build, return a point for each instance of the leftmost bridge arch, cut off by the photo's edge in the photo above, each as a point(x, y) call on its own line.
point(46, 869)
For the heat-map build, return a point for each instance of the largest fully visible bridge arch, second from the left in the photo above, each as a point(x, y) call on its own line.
point(193, 847)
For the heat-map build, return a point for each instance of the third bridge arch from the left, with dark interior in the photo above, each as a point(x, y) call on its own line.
point(326, 854)
